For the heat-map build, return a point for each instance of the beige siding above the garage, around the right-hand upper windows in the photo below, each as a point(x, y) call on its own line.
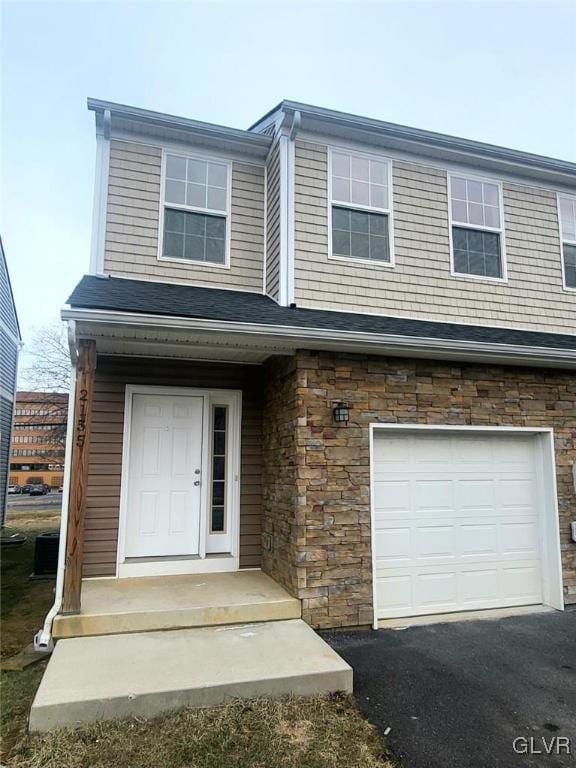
point(420, 284)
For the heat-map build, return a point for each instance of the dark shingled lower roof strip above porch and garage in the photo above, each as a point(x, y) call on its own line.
point(143, 296)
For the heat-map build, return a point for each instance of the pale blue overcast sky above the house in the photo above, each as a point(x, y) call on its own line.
point(499, 72)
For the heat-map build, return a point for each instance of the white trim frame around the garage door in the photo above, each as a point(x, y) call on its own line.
point(552, 582)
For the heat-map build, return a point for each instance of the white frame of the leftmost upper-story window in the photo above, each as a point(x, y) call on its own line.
point(193, 209)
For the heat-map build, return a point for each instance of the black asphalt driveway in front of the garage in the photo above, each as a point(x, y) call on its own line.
point(457, 695)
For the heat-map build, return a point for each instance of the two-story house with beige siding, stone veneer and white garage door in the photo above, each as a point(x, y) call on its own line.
point(336, 349)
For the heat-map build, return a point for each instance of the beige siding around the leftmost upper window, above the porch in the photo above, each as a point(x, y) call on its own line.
point(133, 213)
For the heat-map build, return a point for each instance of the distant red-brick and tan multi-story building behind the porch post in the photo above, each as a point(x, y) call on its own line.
point(38, 438)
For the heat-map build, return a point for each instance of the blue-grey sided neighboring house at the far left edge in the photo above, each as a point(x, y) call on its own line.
point(10, 342)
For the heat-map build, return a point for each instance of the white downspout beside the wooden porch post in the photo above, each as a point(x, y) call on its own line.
point(43, 639)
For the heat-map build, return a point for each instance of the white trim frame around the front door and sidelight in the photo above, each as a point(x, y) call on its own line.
point(126, 567)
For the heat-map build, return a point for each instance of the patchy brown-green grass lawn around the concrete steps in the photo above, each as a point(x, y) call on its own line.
point(320, 732)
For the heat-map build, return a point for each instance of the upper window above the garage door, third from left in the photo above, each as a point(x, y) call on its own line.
point(477, 228)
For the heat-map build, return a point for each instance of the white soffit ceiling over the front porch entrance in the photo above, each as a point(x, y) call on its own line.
point(146, 341)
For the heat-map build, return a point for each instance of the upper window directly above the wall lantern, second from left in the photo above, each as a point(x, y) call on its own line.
point(361, 207)
